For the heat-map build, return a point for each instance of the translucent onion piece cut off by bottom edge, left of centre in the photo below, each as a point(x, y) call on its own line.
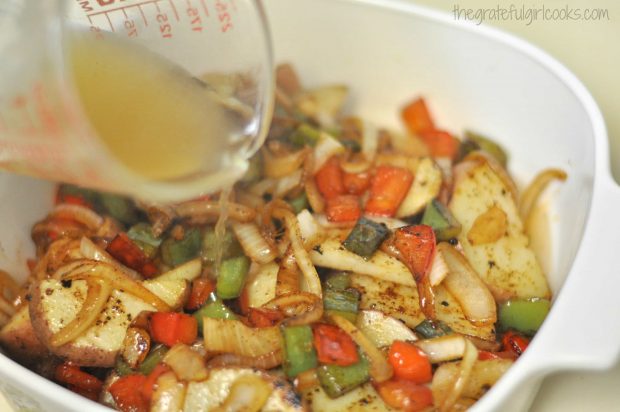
point(248, 393)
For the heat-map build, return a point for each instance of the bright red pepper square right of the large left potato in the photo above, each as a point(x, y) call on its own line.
point(171, 328)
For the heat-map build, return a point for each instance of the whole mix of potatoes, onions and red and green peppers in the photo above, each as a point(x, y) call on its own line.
point(351, 268)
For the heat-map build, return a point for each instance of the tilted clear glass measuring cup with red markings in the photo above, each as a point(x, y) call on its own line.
point(160, 99)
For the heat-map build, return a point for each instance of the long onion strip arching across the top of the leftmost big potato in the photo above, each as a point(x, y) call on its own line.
point(89, 269)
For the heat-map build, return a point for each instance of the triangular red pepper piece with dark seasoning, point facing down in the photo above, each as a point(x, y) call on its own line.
point(416, 245)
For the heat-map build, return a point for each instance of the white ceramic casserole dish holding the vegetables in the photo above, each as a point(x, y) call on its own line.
point(474, 77)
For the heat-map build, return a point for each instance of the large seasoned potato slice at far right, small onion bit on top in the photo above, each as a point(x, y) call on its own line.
point(507, 265)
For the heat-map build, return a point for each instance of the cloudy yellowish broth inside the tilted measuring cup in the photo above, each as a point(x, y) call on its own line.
point(154, 117)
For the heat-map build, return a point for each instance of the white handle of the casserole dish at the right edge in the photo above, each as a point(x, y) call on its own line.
point(581, 331)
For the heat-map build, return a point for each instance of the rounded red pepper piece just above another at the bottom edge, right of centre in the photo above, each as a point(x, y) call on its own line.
point(410, 362)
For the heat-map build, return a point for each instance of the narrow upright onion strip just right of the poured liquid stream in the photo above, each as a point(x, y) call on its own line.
point(311, 281)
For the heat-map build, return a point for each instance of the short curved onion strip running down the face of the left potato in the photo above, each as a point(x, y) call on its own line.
point(96, 298)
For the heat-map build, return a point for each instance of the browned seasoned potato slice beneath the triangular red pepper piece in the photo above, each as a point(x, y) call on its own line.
point(401, 302)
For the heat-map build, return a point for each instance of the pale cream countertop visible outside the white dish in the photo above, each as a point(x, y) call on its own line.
point(591, 50)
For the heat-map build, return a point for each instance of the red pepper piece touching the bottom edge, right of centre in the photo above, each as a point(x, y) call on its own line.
point(405, 395)
